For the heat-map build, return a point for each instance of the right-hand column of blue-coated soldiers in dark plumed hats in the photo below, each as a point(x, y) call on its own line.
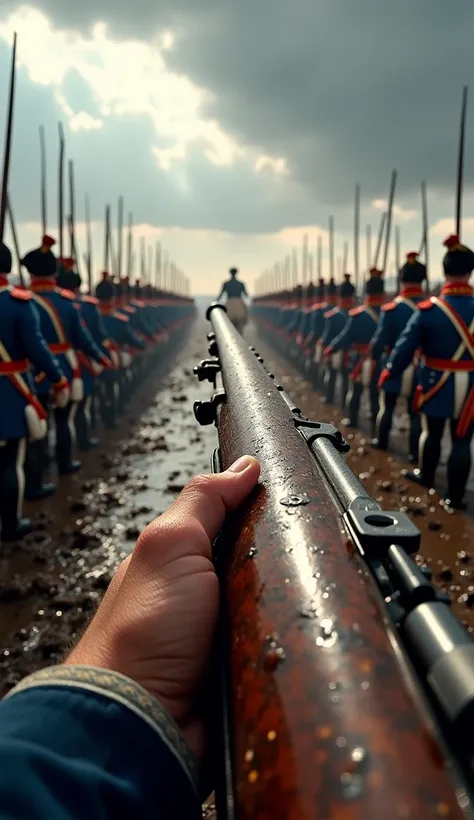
point(411, 347)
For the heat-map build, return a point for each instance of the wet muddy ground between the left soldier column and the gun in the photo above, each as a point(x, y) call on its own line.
point(52, 581)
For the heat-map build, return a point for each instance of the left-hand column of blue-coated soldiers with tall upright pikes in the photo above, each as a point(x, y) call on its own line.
point(67, 357)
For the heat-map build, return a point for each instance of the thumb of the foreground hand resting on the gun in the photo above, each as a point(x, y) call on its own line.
point(207, 499)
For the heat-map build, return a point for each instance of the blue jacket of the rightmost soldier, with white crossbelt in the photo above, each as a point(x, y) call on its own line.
point(434, 334)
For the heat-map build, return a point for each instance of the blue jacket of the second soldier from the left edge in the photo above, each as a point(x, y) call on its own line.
point(78, 337)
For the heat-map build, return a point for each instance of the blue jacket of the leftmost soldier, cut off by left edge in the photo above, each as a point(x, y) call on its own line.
point(21, 335)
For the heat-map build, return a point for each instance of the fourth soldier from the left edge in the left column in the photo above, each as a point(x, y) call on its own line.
point(122, 340)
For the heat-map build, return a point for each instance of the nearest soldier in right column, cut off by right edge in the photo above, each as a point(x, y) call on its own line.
point(442, 329)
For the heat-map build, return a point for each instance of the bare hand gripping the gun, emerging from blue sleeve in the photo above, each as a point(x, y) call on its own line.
point(156, 622)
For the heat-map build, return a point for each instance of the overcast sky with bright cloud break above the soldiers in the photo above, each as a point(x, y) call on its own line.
point(231, 127)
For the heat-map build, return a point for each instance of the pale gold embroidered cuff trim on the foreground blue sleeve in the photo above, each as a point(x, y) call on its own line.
point(123, 690)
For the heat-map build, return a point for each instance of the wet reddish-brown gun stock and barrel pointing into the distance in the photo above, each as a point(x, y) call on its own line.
point(324, 724)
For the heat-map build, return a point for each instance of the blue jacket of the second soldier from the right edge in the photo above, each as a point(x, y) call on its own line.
point(393, 321)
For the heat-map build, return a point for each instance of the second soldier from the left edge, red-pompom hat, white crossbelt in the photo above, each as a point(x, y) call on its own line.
point(61, 326)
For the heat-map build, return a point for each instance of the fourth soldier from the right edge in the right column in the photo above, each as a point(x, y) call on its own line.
point(335, 321)
